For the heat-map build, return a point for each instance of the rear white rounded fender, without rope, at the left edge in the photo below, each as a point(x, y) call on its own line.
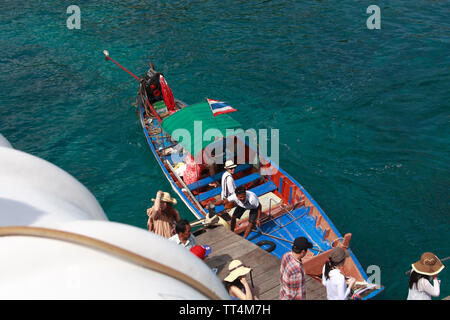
point(34, 192)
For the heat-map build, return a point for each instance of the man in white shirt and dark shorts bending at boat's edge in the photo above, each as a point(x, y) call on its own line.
point(244, 200)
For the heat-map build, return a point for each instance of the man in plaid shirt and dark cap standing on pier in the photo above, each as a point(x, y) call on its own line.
point(292, 278)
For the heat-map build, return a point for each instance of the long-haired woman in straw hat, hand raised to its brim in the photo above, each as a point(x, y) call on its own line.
point(162, 216)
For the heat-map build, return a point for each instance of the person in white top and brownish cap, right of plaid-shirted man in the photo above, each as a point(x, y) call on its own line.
point(333, 279)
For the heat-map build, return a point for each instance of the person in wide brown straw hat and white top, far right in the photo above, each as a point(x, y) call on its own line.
point(424, 271)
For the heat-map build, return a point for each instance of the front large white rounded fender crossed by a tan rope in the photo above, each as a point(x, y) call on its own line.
point(41, 268)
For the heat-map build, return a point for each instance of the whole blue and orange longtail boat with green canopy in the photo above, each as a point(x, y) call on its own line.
point(288, 210)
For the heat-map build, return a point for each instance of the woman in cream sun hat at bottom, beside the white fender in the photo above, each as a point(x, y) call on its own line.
point(236, 283)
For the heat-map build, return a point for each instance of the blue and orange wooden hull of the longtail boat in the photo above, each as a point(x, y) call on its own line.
point(296, 213)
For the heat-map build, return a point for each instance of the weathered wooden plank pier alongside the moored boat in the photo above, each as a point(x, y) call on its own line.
point(227, 246)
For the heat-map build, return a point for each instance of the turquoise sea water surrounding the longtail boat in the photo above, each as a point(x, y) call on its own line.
point(363, 114)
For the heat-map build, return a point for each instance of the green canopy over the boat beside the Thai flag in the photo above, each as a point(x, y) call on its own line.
point(195, 127)
